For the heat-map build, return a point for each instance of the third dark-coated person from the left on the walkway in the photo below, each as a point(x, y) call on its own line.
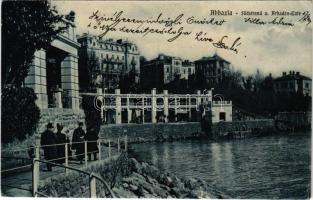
point(78, 141)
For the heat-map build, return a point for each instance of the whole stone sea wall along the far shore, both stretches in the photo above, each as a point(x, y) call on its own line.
point(171, 131)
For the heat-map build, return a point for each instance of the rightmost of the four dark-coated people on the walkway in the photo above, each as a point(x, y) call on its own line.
point(92, 147)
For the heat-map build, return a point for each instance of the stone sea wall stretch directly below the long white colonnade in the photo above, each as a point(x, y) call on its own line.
point(150, 132)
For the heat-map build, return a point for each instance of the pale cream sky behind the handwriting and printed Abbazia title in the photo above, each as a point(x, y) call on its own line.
point(269, 48)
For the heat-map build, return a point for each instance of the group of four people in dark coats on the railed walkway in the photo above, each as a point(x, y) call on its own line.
point(53, 144)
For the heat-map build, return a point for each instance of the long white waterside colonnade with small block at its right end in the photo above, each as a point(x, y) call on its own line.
point(162, 107)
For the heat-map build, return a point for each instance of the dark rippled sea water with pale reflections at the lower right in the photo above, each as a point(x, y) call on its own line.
point(268, 167)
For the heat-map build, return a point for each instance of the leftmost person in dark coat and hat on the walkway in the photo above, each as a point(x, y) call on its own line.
point(48, 138)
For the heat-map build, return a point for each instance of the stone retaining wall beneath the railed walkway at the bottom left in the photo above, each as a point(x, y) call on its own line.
point(76, 184)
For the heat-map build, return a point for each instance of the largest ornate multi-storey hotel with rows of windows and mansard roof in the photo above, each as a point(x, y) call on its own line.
point(115, 57)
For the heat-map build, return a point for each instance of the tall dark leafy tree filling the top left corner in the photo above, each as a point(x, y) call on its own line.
point(27, 26)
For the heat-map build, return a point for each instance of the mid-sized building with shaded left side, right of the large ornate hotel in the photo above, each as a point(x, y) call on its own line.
point(164, 69)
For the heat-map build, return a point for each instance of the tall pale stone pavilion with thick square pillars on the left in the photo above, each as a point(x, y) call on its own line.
point(54, 73)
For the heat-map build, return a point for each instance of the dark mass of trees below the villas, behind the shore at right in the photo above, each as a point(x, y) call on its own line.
point(250, 94)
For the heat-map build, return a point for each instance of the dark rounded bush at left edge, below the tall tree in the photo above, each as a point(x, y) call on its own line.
point(20, 113)
